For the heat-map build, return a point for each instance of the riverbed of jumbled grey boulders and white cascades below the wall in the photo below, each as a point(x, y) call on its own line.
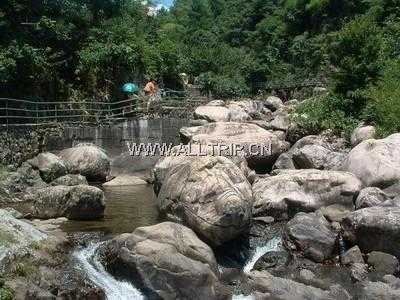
point(317, 217)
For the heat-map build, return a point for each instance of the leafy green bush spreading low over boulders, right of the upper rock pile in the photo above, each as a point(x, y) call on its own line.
point(318, 114)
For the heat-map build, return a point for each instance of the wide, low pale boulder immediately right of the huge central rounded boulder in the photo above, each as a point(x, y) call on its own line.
point(292, 191)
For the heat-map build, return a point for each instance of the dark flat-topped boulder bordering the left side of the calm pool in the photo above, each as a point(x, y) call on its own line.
point(80, 202)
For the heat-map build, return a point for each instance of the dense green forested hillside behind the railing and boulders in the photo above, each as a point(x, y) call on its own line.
point(74, 49)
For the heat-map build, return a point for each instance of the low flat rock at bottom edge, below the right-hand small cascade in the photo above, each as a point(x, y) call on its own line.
point(266, 286)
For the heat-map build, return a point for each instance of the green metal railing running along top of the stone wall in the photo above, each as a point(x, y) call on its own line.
point(15, 112)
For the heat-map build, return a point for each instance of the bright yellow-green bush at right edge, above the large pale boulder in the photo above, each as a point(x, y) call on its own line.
point(383, 106)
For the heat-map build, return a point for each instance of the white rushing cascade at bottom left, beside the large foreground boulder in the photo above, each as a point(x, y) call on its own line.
point(113, 288)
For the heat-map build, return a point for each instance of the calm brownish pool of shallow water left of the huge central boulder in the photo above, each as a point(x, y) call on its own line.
point(127, 208)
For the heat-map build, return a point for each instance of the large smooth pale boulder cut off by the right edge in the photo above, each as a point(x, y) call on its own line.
point(376, 162)
